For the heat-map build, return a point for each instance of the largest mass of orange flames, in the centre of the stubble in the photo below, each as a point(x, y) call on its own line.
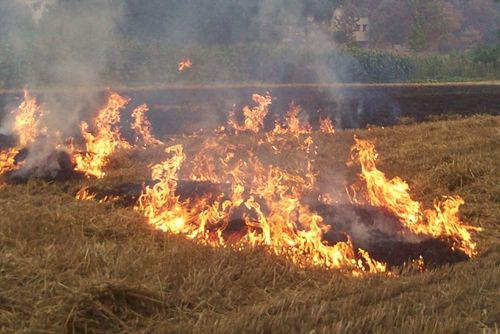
point(274, 216)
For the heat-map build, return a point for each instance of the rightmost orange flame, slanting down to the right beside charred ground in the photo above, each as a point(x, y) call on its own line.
point(393, 195)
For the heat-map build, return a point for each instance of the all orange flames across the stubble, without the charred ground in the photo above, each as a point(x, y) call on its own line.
point(248, 203)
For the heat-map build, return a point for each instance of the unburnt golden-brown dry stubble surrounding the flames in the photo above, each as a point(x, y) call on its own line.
point(69, 266)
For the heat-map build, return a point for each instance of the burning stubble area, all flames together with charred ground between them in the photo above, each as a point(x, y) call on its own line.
point(240, 187)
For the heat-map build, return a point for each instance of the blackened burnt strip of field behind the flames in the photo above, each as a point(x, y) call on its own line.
point(179, 109)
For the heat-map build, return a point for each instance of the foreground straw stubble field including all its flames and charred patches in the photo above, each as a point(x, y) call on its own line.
point(289, 216)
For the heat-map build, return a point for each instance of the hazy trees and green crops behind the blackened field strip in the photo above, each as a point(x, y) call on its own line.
point(269, 41)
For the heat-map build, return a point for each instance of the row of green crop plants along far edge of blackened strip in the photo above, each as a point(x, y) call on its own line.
point(134, 62)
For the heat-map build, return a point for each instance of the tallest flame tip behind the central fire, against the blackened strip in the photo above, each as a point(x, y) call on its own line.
point(254, 117)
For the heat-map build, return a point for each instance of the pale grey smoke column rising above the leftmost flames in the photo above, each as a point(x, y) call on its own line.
point(66, 44)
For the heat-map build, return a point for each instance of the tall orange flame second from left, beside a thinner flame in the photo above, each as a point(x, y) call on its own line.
point(105, 141)
